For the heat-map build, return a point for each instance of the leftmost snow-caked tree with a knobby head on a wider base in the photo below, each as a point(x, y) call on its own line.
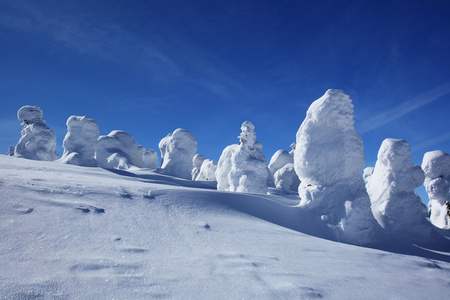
point(38, 142)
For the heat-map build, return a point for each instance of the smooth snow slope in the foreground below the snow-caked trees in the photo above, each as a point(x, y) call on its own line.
point(71, 232)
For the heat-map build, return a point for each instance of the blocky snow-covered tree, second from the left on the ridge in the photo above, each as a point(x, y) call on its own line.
point(80, 141)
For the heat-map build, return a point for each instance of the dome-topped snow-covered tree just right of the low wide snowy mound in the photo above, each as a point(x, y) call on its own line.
point(177, 153)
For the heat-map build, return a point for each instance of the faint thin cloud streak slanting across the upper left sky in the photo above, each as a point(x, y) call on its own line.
point(109, 42)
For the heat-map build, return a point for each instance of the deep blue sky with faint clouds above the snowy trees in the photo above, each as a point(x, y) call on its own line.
point(149, 67)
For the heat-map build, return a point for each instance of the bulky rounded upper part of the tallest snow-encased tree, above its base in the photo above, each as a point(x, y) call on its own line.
point(328, 147)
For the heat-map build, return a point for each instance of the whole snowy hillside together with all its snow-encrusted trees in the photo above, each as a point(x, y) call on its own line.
point(106, 222)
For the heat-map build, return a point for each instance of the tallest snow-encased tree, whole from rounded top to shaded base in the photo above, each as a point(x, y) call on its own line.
point(329, 160)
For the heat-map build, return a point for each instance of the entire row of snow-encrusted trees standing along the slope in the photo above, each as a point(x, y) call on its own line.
point(324, 166)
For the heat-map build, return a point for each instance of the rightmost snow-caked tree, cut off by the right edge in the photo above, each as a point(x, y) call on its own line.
point(436, 165)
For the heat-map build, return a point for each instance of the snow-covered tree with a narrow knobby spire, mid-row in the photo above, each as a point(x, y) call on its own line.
point(242, 168)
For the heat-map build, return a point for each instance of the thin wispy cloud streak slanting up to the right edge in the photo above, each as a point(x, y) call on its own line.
point(404, 108)
